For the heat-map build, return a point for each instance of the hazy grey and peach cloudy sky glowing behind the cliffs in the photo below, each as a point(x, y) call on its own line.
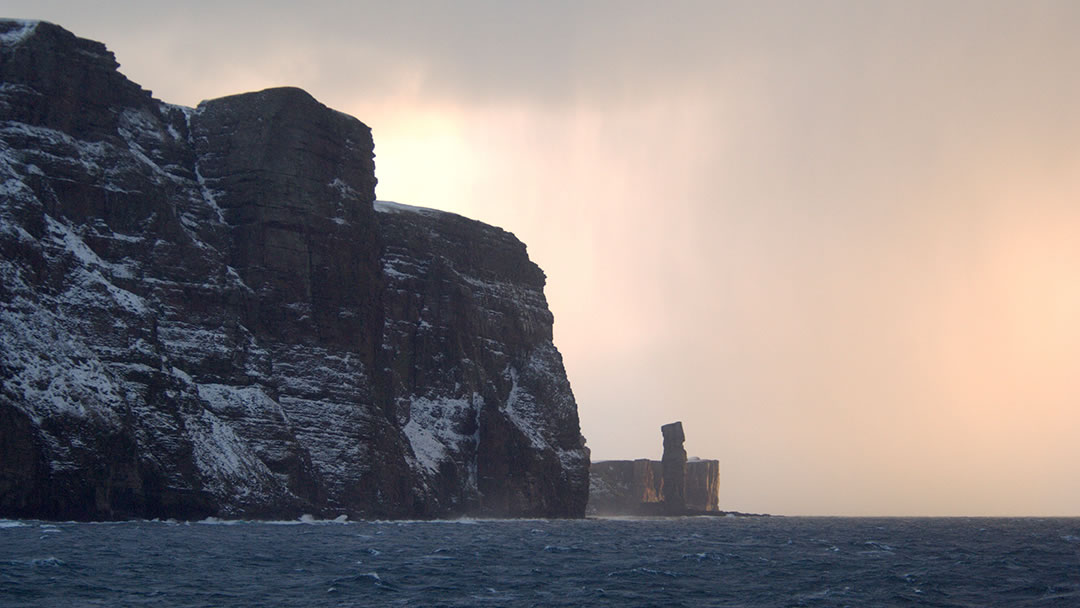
point(839, 240)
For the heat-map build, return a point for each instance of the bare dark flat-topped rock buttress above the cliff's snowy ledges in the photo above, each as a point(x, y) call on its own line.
point(295, 182)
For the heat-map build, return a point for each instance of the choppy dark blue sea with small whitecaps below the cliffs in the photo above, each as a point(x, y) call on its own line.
point(679, 562)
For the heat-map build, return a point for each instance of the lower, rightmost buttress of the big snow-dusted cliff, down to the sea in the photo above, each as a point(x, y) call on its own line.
point(475, 375)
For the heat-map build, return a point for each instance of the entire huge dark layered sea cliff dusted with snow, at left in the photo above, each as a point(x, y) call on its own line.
point(206, 313)
